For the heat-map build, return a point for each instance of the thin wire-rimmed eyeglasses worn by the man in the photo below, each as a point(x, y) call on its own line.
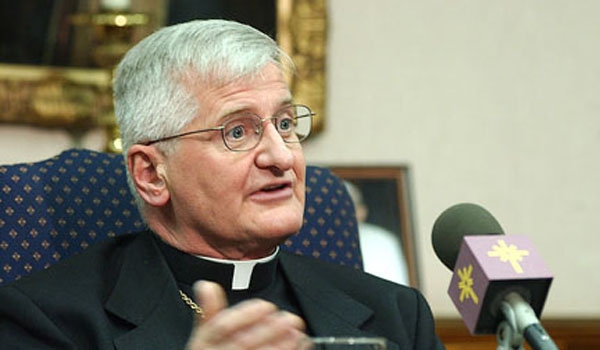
point(243, 131)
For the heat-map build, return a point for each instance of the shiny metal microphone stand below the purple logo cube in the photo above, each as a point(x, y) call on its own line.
point(520, 322)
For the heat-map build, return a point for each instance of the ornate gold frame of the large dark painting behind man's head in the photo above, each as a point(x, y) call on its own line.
point(78, 99)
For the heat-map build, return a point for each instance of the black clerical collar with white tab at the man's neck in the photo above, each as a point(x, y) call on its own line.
point(233, 275)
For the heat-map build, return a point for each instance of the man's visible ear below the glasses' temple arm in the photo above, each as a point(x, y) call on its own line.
point(146, 166)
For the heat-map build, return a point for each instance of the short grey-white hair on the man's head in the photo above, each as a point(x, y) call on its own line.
point(150, 95)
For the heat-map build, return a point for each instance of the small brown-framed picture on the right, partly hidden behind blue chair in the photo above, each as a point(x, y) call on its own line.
point(382, 201)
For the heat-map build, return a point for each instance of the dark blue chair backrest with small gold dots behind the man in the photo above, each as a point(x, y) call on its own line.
point(52, 209)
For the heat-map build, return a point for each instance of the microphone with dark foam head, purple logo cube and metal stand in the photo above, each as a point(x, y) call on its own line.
point(500, 283)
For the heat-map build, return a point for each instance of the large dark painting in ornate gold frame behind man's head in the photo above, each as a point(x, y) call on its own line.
point(64, 80)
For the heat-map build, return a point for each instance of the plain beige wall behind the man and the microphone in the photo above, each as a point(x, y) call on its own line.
point(494, 102)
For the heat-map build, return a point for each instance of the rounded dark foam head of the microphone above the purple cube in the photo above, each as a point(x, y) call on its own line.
point(465, 219)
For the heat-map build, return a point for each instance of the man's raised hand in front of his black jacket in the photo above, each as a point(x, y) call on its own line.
point(252, 324)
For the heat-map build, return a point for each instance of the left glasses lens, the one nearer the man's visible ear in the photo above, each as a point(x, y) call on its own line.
point(242, 133)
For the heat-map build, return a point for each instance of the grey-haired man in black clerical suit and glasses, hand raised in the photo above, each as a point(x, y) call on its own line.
point(212, 141)
